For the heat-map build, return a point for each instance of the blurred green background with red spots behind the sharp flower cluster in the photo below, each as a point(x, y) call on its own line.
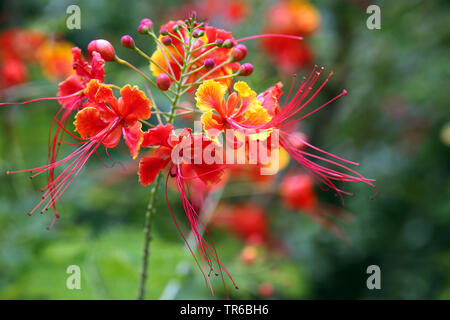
point(395, 121)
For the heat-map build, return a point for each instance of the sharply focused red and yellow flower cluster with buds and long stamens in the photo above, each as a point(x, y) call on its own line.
point(240, 130)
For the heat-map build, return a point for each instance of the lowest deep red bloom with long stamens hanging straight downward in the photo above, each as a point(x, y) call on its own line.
point(178, 152)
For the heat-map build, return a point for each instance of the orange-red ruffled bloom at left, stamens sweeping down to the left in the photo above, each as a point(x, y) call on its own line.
point(103, 121)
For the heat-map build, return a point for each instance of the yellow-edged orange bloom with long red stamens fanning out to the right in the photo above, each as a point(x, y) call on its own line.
point(252, 115)
